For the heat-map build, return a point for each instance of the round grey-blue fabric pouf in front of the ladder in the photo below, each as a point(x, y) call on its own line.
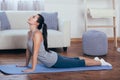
point(94, 43)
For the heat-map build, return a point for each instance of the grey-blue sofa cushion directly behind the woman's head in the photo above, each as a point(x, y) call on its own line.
point(51, 19)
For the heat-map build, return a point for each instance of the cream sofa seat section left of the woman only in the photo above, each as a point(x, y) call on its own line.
point(13, 39)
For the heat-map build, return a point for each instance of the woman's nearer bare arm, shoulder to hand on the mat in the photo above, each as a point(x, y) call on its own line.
point(37, 39)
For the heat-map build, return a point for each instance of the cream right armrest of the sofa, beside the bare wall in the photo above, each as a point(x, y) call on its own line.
point(64, 26)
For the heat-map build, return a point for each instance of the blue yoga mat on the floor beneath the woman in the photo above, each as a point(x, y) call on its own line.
point(40, 68)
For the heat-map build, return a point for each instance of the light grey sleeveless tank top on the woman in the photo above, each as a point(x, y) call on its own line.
point(47, 58)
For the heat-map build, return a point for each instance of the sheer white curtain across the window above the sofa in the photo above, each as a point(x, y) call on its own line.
point(21, 4)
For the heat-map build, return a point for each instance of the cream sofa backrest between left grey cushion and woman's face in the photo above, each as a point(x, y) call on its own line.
point(18, 19)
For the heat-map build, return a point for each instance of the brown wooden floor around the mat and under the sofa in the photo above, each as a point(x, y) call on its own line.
point(18, 57)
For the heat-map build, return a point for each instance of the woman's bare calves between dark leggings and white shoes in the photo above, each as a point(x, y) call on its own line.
point(91, 62)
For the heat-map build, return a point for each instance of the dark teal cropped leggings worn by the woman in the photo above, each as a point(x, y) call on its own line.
point(67, 62)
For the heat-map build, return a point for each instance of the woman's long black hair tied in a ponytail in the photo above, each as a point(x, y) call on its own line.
point(43, 26)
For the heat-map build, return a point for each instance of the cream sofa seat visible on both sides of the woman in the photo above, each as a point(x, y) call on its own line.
point(17, 39)
